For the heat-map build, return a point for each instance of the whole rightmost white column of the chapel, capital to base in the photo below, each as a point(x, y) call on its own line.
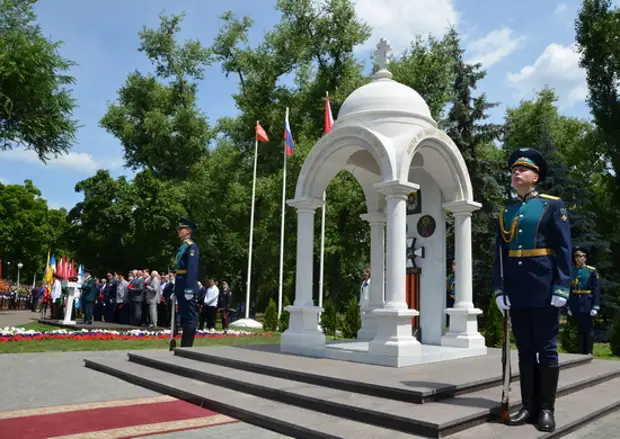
point(463, 331)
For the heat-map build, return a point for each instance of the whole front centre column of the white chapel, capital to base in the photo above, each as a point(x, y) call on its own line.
point(394, 337)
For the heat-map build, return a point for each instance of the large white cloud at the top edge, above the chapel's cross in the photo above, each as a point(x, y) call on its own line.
point(400, 21)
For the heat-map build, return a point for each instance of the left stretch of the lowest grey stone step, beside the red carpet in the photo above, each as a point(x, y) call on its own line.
point(279, 417)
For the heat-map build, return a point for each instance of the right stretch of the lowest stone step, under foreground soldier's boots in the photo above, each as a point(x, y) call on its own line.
point(572, 412)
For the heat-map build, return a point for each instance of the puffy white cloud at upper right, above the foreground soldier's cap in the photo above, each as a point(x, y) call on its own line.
point(558, 68)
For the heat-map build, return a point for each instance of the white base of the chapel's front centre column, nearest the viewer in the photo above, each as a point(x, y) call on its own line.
point(393, 338)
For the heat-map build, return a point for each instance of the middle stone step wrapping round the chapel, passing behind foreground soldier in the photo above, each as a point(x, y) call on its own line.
point(429, 420)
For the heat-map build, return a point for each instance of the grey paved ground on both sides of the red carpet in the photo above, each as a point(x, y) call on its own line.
point(49, 380)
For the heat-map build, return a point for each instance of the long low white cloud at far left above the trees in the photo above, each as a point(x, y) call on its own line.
point(75, 161)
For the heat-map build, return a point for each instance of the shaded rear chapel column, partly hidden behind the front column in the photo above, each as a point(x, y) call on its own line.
point(368, 331)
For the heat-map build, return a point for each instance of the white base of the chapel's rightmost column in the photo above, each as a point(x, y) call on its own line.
point(463, 329)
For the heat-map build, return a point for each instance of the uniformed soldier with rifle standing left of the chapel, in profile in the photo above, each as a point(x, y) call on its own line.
point(186, 281)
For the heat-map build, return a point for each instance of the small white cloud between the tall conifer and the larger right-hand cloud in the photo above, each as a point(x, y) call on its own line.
point(494, 46)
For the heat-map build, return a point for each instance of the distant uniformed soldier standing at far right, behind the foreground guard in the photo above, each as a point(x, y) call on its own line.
point(583, 303)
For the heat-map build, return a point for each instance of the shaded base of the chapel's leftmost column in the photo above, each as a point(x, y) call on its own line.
point(302, 333)
